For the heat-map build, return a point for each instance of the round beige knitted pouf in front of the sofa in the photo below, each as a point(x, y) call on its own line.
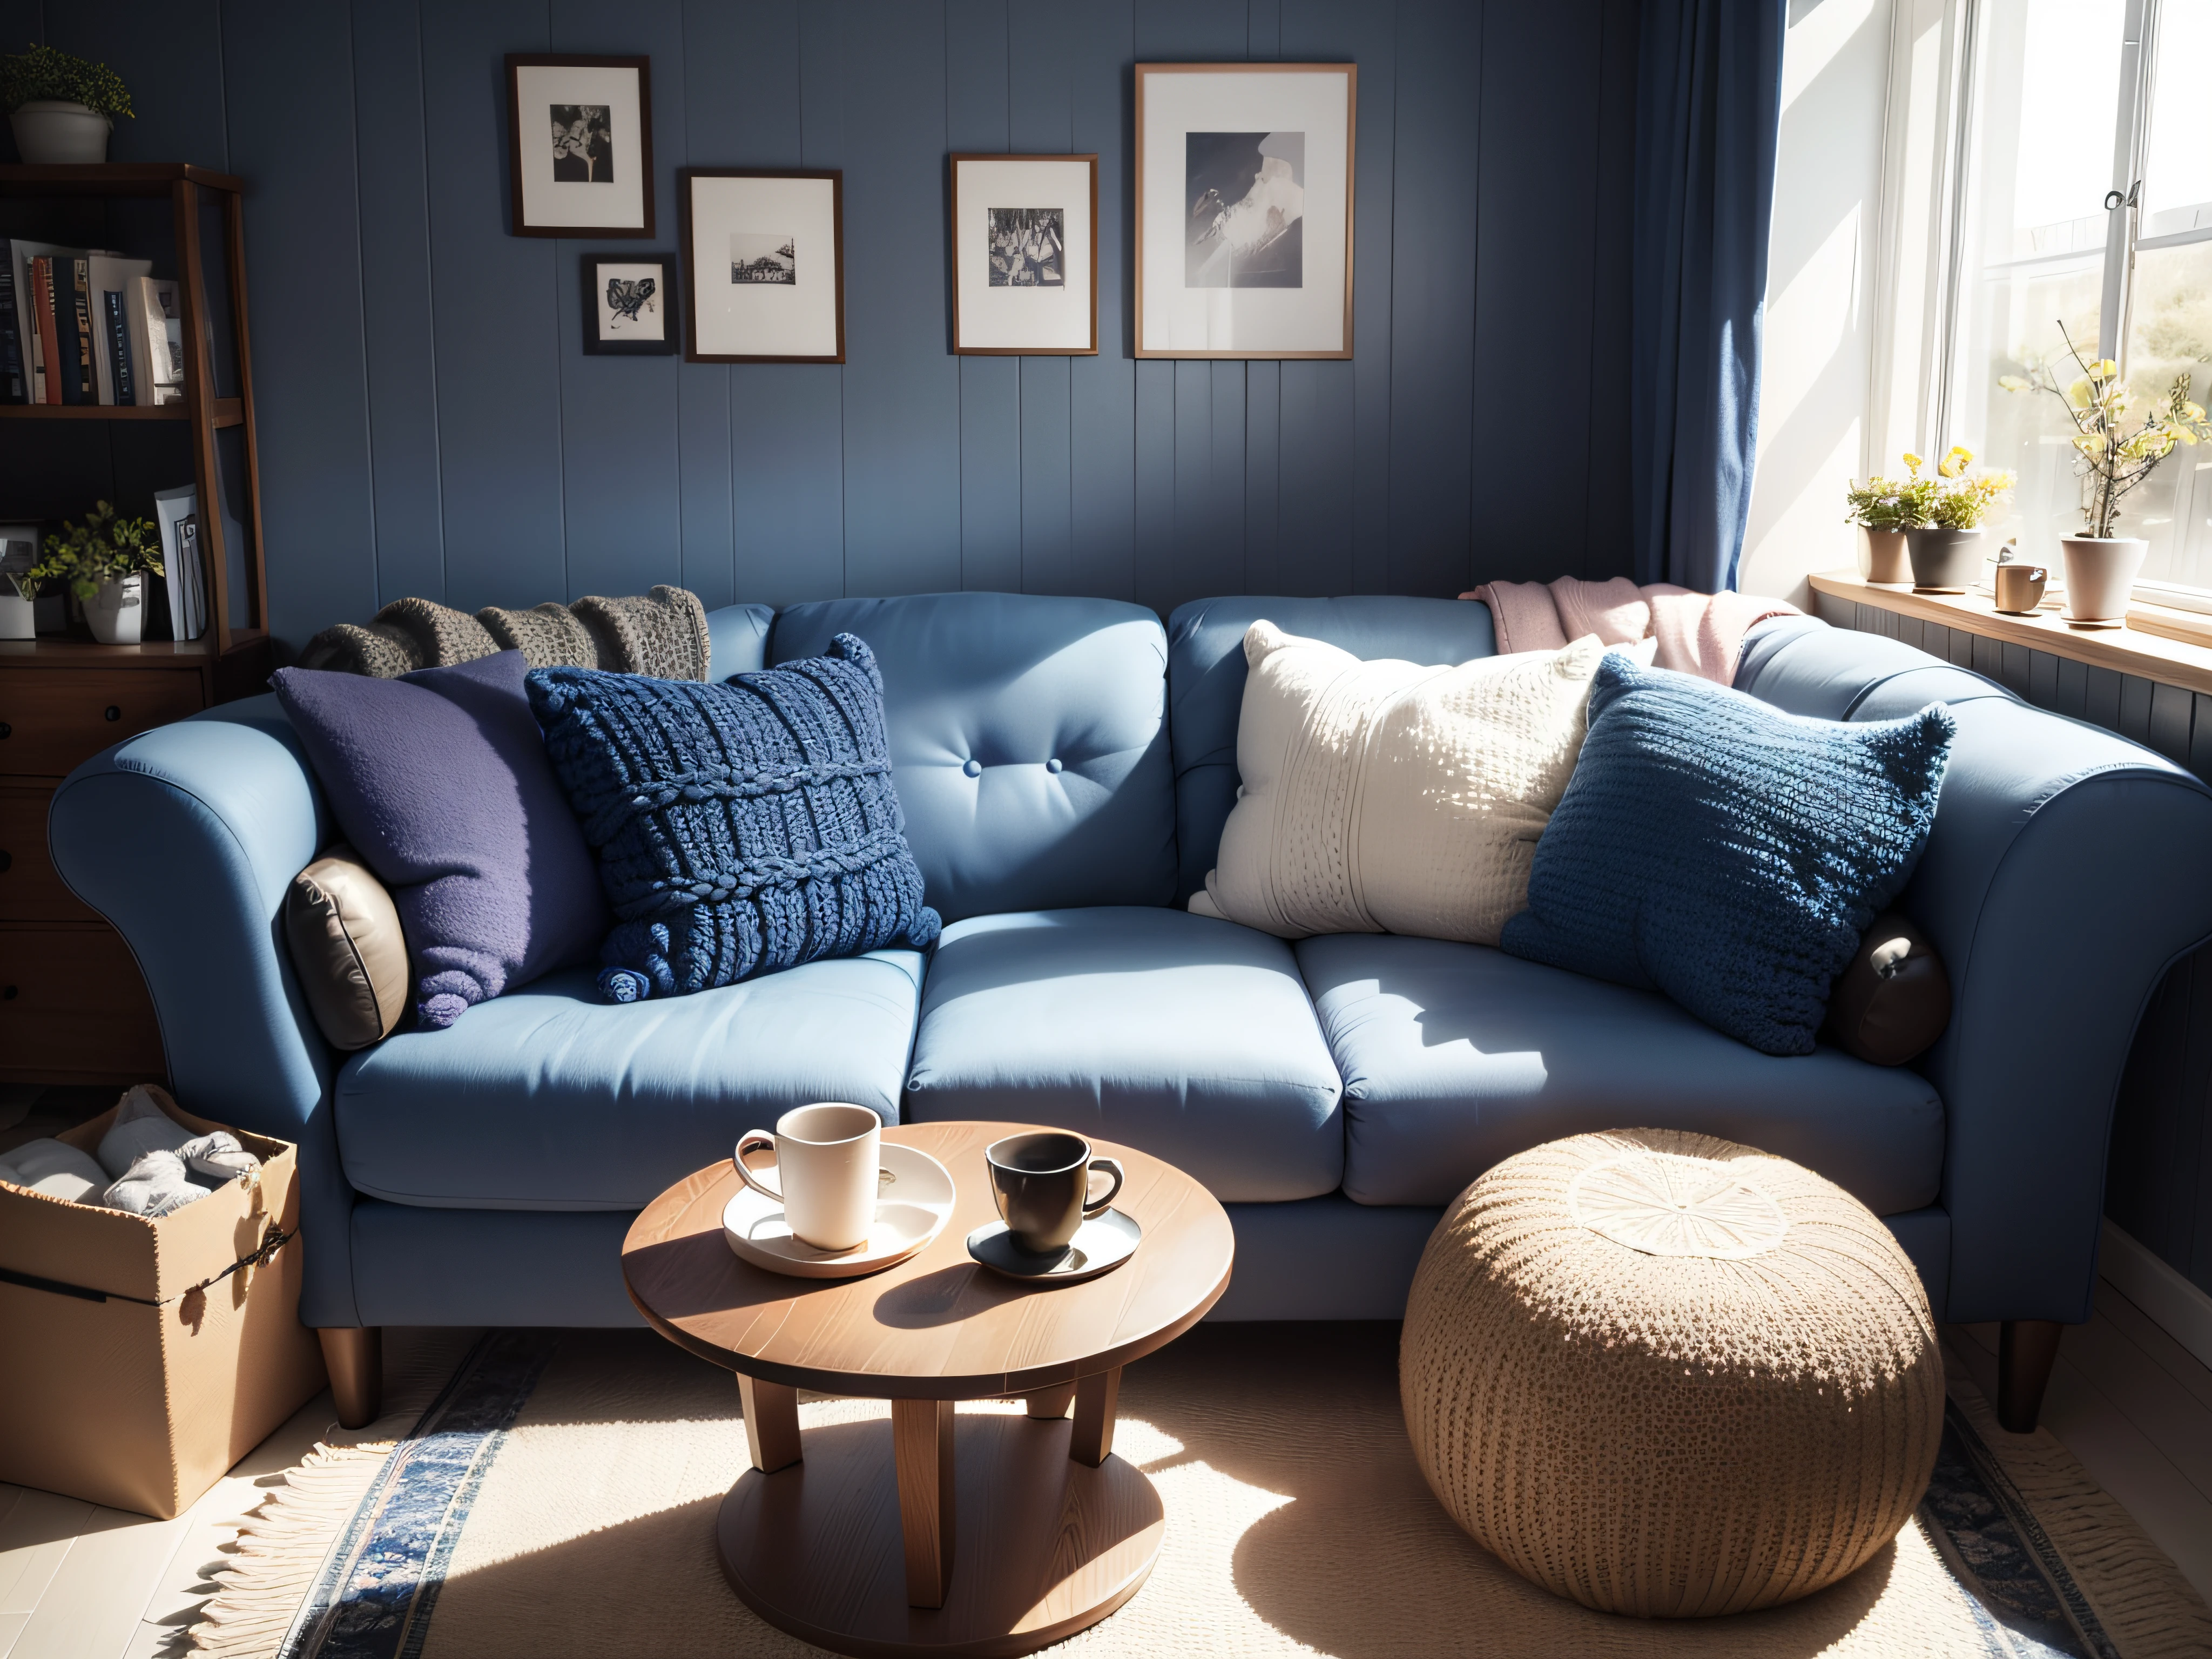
point(1667, 1375)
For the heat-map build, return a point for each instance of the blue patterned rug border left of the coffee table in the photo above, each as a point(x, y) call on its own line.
point(375, 1594)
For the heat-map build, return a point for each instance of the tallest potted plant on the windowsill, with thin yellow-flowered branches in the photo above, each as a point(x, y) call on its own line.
point(2111, 459)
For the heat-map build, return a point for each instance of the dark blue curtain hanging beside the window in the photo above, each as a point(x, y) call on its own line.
point(1709, 114)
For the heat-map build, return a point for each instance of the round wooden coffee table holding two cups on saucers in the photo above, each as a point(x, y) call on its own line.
point(1034, 1530)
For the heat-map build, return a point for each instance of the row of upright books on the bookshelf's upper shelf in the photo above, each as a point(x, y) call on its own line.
point(85, 326)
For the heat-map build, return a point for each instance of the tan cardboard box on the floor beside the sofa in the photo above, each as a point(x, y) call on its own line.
point(140, 1359)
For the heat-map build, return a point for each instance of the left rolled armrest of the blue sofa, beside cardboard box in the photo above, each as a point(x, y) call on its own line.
point(187, 839)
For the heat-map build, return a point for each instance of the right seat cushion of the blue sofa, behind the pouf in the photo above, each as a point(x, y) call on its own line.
point(1459, 1056)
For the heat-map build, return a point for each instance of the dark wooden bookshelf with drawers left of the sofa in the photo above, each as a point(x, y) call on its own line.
point(72, 1001)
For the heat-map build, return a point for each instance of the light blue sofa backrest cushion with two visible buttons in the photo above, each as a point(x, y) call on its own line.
point(1030, 742)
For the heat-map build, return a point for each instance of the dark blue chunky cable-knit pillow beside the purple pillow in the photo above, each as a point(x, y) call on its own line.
point(740, 828)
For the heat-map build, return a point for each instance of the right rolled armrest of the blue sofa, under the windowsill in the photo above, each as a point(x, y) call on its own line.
point(2065, 875)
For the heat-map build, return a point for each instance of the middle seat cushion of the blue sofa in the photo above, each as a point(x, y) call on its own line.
point(1185, 1036)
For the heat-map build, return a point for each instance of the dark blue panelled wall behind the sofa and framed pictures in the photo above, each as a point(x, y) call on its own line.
point(432, 428)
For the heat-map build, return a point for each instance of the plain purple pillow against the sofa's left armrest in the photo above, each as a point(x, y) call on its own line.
point(441, 782)
